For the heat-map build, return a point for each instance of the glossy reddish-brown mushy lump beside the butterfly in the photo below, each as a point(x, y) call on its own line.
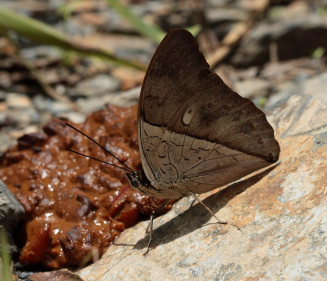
point(75, 206)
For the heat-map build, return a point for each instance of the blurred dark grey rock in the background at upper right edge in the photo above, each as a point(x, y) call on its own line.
point(292, 38)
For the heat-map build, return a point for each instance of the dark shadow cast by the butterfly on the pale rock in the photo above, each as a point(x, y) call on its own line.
point(197, 216)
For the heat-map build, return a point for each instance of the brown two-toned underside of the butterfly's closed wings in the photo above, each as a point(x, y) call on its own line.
point(195, 133)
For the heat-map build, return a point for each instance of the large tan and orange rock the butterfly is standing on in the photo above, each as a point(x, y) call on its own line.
point(281, 212)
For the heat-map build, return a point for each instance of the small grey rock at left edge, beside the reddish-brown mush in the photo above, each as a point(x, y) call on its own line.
point(11, 211)
